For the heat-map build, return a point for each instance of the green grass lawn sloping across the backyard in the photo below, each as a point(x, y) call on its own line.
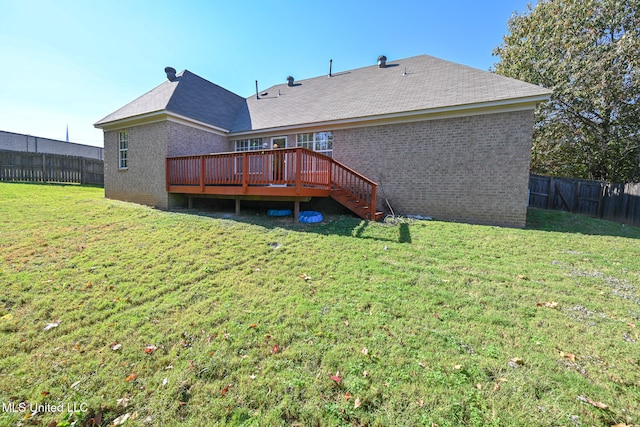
point(168, 318)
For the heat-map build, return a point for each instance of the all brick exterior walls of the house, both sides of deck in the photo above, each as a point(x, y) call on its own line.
point(472, 169)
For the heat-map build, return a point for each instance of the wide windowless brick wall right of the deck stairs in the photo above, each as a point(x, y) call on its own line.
point(472, 169)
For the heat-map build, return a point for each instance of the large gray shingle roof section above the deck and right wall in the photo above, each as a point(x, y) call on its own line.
point(429, 83)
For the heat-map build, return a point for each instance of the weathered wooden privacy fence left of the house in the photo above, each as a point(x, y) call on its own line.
point(43, 167)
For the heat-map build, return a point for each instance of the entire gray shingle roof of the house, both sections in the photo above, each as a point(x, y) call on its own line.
point(418, 84)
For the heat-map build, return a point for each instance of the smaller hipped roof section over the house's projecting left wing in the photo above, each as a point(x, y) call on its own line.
point(191, 96)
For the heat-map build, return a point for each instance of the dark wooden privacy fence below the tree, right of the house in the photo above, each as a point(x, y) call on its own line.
point(615, 202)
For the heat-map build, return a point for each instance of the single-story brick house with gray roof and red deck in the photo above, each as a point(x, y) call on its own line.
point(422, 135)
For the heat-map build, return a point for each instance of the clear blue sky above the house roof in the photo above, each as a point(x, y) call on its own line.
point(69, 63)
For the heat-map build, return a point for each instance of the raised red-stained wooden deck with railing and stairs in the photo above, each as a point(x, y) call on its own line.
point(281, 174)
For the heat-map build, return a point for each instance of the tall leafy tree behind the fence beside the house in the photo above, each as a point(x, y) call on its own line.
point(588, 53)
